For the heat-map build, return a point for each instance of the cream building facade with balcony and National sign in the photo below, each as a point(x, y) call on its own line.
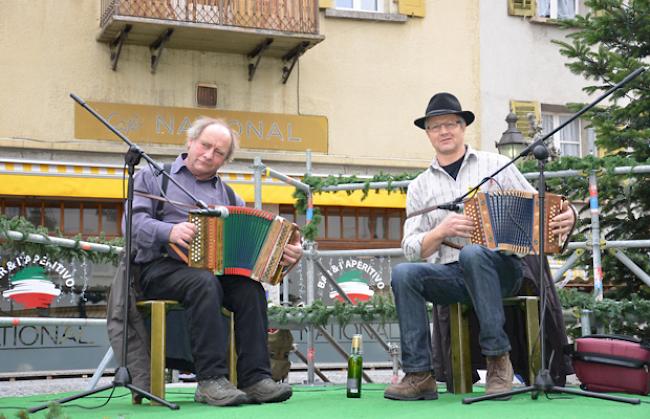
point(341, 79)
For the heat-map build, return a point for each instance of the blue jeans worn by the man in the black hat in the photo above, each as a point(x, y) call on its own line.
point(481, 277)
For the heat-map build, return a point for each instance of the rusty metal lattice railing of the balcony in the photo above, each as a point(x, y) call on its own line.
point(278, 15)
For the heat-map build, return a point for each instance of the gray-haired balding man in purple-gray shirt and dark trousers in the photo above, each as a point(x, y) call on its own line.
point(210, 144)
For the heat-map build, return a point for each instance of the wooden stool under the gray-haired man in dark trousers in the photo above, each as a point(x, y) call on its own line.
point(157, 309)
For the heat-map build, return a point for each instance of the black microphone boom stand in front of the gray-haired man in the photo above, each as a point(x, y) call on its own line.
point(132, 158)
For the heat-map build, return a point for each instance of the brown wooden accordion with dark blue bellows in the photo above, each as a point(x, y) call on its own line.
point(509, 221)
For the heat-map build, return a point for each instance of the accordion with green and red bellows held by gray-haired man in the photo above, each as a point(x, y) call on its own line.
point(248, 242)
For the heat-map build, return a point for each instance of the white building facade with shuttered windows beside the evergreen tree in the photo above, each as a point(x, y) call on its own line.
point(522, 71)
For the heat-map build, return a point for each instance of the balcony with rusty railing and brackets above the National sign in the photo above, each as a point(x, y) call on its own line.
point(274, 28)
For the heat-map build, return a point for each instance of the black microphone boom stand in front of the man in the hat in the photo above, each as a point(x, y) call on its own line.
point(543, 381)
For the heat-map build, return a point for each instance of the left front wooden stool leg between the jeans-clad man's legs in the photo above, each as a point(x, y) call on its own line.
point(461, 359)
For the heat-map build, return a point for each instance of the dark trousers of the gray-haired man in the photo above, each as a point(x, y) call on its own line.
point(202, 295)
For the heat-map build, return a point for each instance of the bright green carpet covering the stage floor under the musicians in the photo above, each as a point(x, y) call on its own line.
point(329, 402)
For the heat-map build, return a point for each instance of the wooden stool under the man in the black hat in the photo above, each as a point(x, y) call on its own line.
point(461, 358)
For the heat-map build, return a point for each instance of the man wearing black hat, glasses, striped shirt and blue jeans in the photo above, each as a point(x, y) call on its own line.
point(447, 275)
